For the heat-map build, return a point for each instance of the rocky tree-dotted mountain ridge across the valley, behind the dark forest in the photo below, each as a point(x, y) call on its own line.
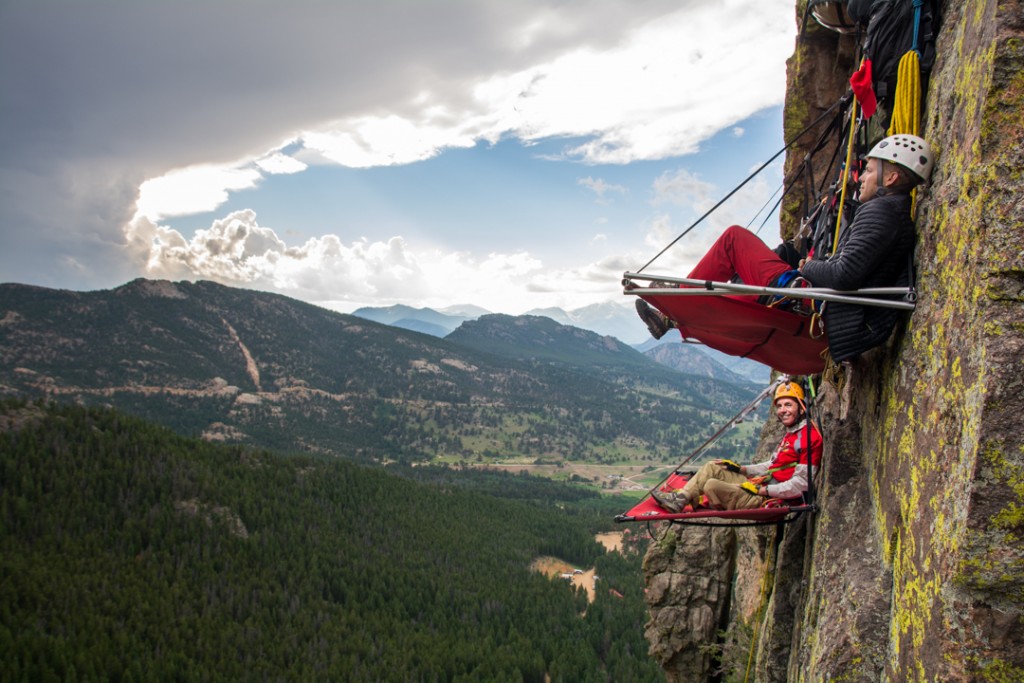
point(241, 366)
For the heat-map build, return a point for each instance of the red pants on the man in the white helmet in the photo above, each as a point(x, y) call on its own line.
point(740, 252)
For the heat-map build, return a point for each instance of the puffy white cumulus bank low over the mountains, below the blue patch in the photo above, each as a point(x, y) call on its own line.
point(238, 251)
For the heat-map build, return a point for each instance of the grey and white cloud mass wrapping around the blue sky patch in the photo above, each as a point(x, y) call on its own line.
point(121, 121)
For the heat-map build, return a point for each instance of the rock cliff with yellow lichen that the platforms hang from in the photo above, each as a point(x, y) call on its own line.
point(914, 568)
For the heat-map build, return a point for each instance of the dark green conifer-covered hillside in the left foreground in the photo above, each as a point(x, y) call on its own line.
point(131, 553)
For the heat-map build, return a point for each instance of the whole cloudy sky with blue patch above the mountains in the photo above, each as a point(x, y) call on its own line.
point(513, 156)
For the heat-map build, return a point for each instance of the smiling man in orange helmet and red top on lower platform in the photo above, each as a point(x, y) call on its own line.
point(727, 486)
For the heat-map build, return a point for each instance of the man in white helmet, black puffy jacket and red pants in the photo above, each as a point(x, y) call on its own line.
point(874, 251)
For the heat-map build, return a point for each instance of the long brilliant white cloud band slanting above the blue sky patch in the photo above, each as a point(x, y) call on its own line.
point(633, 102)
